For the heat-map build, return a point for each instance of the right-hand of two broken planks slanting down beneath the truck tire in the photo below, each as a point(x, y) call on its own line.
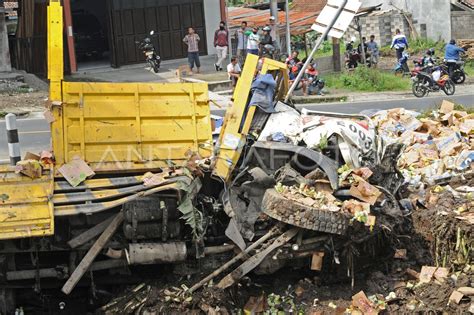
point(256, 259)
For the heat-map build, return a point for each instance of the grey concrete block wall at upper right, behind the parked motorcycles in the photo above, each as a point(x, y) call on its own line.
point(435, 14)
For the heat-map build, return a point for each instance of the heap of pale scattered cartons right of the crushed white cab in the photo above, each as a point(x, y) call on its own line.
point(439, 145)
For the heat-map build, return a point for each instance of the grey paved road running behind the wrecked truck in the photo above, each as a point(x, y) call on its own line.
point(35, 136)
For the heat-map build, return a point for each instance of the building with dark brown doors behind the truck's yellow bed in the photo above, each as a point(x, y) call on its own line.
point(105, 31)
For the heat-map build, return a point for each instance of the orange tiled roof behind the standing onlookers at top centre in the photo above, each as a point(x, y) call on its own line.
point(300, 22)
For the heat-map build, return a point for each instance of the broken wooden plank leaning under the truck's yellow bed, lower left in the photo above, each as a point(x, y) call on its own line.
point(92, 254)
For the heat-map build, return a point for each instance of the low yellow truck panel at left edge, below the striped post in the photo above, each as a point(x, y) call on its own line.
point(25, 206)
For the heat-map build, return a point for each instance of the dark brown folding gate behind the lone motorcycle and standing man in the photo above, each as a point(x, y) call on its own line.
point(131, 21)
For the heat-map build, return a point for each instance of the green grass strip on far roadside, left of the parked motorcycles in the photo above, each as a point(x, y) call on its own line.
point(364, 79)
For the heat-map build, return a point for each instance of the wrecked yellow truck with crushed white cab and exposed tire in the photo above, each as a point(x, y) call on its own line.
point(136, 179)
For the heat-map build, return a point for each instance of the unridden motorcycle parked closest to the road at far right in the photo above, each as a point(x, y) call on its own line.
point(424, 82)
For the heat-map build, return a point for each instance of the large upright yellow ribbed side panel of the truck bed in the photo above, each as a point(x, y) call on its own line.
point(118, 126)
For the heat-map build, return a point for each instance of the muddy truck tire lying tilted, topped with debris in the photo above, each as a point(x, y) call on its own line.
point(294, 213)
